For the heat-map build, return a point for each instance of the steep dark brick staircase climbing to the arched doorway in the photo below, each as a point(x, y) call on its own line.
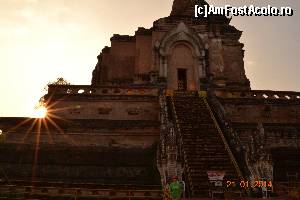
point(202, 146)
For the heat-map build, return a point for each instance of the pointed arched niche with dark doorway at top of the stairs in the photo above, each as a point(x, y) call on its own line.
point(181, 43)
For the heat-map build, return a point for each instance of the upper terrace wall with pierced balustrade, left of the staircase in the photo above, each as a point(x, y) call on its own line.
point(108, 103)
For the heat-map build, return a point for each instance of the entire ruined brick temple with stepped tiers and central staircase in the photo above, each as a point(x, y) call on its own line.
point(171, 100)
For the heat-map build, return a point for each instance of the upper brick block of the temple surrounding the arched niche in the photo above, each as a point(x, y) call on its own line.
point(220, 55)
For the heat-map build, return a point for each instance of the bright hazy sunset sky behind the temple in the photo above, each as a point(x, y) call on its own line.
point(41, 40)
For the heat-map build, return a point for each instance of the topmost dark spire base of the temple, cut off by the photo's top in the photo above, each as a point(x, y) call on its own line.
point(185, 7)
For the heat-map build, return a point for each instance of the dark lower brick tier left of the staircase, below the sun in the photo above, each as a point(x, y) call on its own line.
point(97, 151)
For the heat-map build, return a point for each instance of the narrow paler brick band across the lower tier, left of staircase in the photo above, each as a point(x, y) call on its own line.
point(121, 138)
